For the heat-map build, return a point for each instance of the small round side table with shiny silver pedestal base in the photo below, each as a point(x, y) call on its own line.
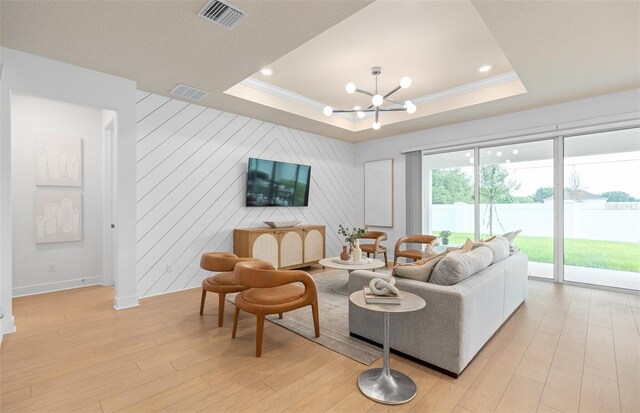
point(383, 384)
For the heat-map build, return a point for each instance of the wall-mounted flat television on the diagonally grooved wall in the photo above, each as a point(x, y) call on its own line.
point(272, 183)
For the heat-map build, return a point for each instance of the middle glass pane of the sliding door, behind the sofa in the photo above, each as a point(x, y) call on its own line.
point(516, 194)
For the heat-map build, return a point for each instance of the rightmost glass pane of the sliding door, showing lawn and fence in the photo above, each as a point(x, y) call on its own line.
point(602, 209)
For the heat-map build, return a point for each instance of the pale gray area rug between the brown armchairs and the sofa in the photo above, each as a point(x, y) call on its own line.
point(334, 320)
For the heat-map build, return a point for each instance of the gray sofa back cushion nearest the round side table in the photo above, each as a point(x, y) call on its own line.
point(454, 268)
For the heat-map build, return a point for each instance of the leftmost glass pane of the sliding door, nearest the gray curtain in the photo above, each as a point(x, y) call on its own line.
point(448, 195)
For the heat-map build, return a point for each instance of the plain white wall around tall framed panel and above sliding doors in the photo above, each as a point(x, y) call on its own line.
point(581, 112)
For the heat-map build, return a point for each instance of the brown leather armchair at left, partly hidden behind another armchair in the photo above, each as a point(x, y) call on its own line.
point(222, 283)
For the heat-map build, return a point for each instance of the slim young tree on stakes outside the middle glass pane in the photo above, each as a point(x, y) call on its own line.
point(495, 189)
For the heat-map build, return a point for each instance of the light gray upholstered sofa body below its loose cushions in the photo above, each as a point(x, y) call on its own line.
point(457, 320)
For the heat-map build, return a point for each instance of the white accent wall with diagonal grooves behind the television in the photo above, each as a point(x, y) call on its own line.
point(192, 164)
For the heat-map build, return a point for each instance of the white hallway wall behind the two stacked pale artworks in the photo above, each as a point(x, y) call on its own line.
point(77, 263)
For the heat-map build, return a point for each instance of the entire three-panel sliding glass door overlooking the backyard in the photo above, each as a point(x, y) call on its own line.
point(484, 191)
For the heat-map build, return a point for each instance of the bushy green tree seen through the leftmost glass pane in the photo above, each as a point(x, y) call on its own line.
point(451, 185)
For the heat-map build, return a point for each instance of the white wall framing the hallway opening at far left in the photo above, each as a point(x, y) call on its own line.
point(32, 75)
